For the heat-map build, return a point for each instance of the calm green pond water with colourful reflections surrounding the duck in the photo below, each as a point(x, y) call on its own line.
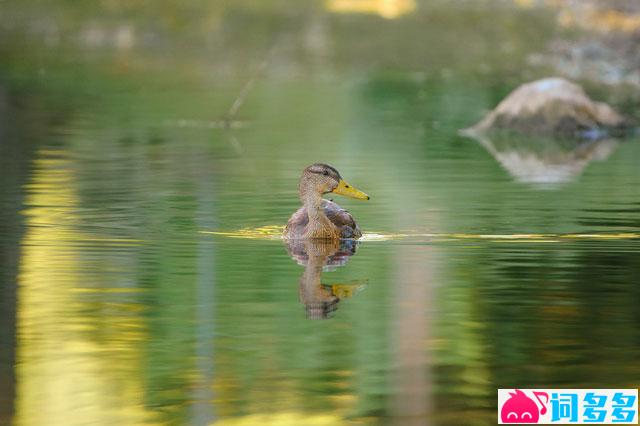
point(143, 281)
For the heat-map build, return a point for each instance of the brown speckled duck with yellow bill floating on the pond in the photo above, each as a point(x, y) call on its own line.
point(319, 218)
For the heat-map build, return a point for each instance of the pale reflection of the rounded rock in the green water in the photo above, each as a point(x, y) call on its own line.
point(545, 160)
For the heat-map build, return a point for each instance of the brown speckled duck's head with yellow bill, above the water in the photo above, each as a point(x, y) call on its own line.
point(323, 179)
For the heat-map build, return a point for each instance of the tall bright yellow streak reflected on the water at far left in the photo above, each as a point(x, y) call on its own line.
point(65, 375)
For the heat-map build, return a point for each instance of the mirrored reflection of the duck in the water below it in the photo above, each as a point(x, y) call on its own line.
point(318, 256)
